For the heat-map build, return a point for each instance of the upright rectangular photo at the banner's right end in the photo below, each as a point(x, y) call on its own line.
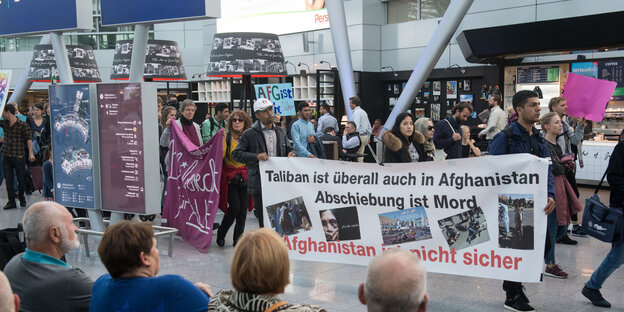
point(515, 221)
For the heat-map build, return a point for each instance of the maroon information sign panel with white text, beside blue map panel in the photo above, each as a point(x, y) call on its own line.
point(121, 147)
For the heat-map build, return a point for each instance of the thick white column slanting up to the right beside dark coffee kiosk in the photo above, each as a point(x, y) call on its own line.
point(440, 39)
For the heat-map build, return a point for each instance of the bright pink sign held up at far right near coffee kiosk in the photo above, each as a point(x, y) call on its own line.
point(587, 97)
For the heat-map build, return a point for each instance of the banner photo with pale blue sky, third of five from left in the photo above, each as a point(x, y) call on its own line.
point(403, 226)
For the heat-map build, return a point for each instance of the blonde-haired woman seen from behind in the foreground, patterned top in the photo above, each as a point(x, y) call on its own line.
point(260, 271)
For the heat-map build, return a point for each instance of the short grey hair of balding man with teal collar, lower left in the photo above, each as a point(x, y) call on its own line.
point(39, 217)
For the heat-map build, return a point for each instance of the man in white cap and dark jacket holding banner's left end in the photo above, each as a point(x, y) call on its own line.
point(258, 143)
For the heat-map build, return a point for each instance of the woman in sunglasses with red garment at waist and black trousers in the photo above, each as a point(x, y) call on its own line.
point(233, 190)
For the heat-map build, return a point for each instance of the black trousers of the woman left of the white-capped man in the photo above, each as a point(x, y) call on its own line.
point(238, 202)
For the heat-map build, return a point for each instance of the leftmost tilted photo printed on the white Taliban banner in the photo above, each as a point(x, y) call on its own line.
point(289, 217)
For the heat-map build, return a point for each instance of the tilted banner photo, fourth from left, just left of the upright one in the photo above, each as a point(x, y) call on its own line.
point(465, 229)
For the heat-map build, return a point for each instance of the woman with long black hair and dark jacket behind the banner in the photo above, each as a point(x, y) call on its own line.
point(403, 143)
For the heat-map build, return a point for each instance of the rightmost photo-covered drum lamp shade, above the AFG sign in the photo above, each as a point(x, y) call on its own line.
point(238, 54)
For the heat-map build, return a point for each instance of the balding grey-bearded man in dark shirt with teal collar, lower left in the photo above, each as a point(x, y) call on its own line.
point(41, 279)
